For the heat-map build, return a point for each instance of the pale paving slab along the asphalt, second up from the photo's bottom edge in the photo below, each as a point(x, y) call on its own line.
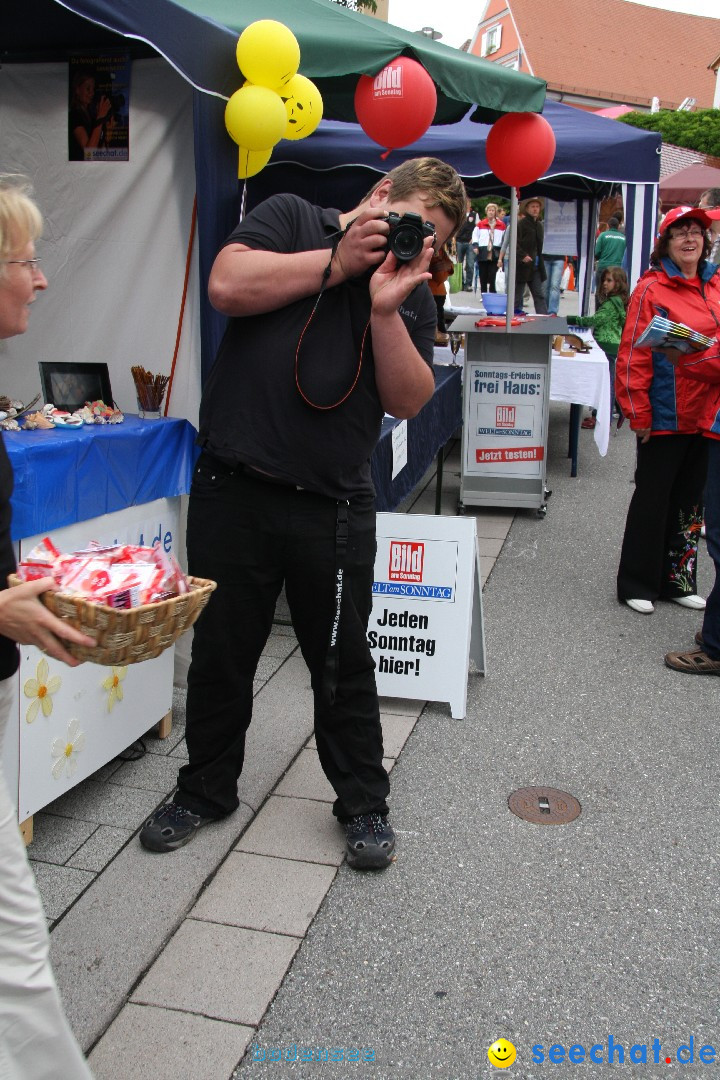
point(224, 973)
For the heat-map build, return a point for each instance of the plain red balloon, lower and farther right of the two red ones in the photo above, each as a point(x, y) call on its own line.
point(520, 148)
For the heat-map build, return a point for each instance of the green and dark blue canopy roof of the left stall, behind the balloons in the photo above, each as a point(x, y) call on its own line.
point(199, 37)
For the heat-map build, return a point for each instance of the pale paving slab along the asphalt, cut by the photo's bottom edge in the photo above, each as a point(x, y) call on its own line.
point(145, 1043)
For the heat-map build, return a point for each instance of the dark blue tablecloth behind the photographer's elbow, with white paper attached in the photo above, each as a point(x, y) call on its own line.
point(428, 433)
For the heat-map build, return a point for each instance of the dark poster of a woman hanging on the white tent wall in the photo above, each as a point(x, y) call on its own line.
point(99, 112)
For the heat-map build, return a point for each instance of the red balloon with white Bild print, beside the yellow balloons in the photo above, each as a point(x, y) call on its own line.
point(398, 106)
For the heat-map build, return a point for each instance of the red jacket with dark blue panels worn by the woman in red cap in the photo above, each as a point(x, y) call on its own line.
point(651, 393)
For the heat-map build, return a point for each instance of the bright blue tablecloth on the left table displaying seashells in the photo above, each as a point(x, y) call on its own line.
point(71, 476)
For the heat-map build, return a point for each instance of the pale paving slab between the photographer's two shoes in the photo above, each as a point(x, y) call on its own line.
point(295, 829)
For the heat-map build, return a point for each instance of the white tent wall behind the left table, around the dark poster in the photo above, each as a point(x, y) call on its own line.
point(116, 237)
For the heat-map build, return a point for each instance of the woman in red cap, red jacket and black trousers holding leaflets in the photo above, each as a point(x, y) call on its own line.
point(660, 548)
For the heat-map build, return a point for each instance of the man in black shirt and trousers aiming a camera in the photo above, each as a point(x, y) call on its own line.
point(328, 332)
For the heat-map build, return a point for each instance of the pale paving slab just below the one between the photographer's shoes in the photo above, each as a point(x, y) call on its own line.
point(263, 894)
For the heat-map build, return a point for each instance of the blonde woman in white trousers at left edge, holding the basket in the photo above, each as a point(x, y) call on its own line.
point(36, 1041)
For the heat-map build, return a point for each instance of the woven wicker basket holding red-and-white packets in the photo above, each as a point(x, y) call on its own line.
point(128, 637)
